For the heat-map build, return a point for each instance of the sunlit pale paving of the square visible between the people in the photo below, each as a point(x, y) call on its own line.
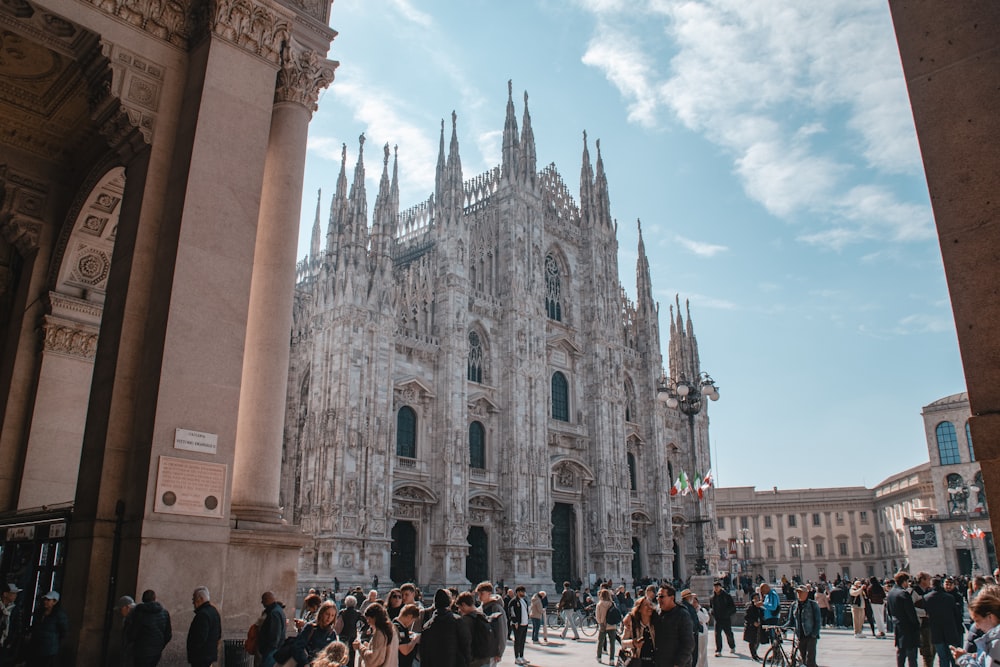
point(837, 648)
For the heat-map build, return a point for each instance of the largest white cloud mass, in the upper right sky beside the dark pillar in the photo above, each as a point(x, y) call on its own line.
point(807, 98)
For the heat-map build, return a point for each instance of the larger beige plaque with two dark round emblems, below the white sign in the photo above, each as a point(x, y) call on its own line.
point(193, 488)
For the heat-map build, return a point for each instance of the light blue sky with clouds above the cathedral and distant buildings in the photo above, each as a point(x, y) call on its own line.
point(768, 148)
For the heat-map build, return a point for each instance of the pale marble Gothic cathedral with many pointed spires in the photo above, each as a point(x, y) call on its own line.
point(472, 395)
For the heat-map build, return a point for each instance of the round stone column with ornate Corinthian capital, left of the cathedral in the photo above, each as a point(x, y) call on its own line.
point(260, 422)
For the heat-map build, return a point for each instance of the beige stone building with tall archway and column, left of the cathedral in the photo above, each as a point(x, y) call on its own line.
point(151, 159)
